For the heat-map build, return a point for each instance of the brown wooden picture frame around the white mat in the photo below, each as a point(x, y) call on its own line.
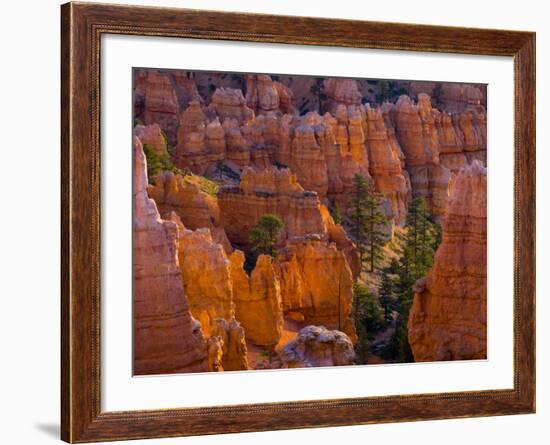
point(82, 25)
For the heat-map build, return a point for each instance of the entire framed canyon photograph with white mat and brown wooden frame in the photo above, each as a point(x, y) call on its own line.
point(274, 222)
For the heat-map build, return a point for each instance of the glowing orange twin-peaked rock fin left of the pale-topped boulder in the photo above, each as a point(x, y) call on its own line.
point(257, 300)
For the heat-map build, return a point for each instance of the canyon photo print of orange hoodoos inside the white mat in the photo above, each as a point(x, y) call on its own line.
point(286, 221)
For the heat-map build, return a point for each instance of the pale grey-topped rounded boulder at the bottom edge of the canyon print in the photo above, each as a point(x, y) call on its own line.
point(317, 346)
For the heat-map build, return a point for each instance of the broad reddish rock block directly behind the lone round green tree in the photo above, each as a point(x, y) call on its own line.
point(271, 191)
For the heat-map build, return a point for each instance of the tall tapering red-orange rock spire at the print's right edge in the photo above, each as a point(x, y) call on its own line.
point(448, 319)
